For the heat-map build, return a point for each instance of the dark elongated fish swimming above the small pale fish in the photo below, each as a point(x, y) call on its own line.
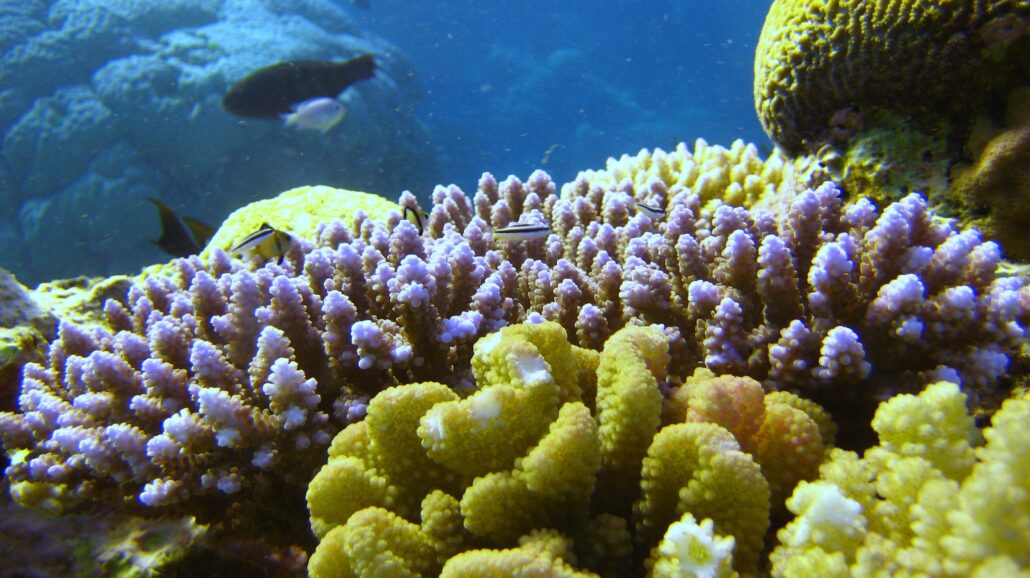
point(278, 91)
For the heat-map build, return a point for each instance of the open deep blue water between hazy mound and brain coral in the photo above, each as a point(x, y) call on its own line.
point(507, 81)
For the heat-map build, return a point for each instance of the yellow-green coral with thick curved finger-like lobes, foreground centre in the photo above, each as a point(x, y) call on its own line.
point(523, 472)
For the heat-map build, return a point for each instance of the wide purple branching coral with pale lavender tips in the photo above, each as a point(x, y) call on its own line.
point(231, 382)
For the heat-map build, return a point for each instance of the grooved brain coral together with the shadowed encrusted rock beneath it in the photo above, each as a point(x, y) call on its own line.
point(885, 94)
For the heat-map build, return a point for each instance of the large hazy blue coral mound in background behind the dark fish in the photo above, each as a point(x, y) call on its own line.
point(106, 105)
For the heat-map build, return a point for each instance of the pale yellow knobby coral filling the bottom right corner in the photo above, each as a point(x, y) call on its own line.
point(929, 501)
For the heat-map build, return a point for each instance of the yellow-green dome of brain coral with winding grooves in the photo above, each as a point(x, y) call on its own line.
point(818, 57)
